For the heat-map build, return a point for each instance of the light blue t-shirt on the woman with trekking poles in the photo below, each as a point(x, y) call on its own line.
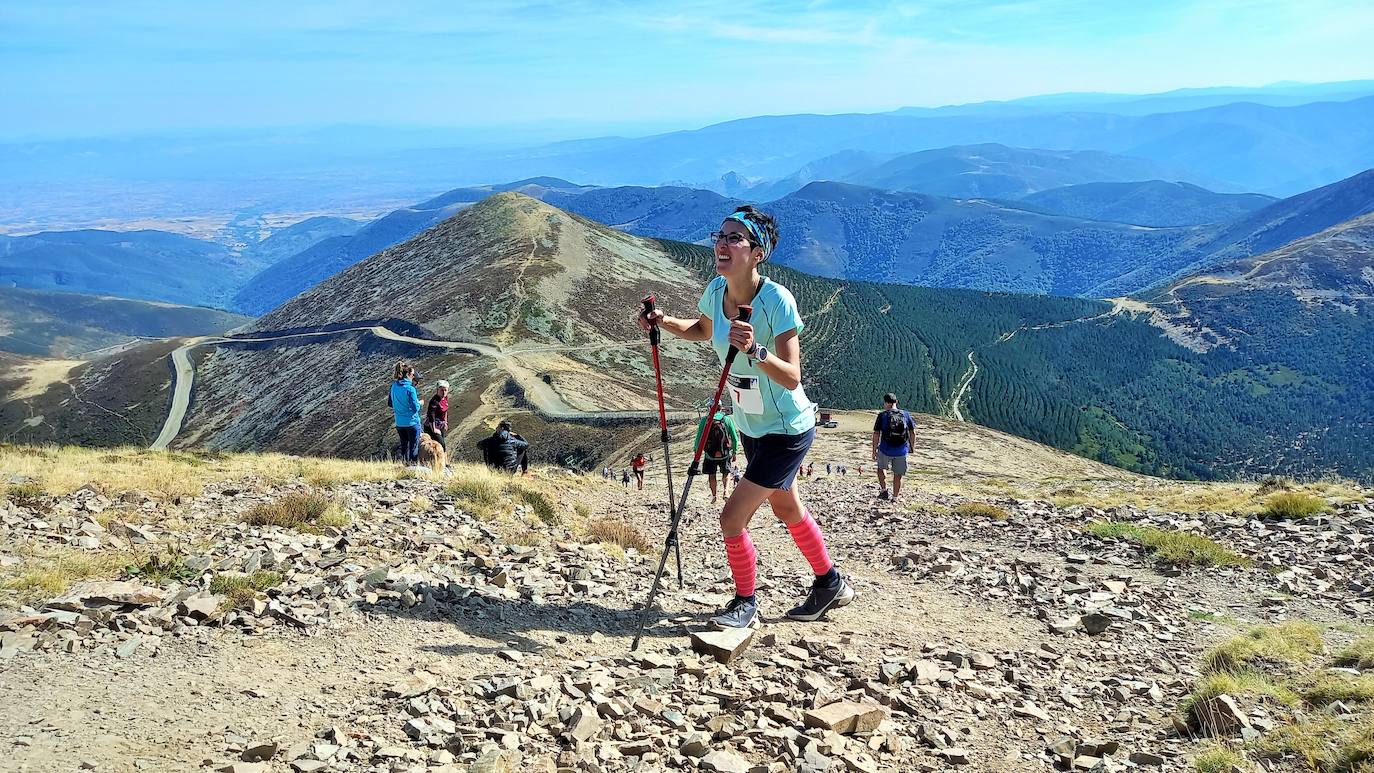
point(762, 406)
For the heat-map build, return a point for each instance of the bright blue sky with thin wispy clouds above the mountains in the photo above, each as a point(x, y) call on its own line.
point(82, 69)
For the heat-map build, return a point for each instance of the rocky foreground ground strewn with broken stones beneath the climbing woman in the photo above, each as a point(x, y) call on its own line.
point(429, 635)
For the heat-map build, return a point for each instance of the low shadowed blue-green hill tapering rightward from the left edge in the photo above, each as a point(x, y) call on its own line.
point(69, 325)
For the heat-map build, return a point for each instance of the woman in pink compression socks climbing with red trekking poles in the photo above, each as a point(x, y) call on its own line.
point(777, 422)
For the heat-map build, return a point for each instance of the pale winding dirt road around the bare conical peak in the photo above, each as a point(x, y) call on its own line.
point(545, 399)
